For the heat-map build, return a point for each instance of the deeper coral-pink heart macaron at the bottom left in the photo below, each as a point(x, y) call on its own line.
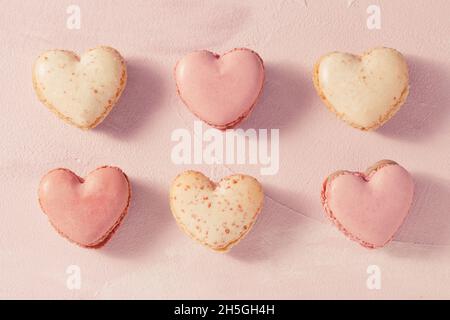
point(85, 211)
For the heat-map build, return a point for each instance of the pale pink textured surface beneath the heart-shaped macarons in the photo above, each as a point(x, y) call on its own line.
point(292, 252)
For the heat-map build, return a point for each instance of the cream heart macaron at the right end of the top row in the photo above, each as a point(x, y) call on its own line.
point(364, 91)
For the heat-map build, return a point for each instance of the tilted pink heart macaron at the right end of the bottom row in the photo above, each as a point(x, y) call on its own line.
point(369, 207)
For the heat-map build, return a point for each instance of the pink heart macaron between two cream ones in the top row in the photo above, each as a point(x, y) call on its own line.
point(220, 90)
